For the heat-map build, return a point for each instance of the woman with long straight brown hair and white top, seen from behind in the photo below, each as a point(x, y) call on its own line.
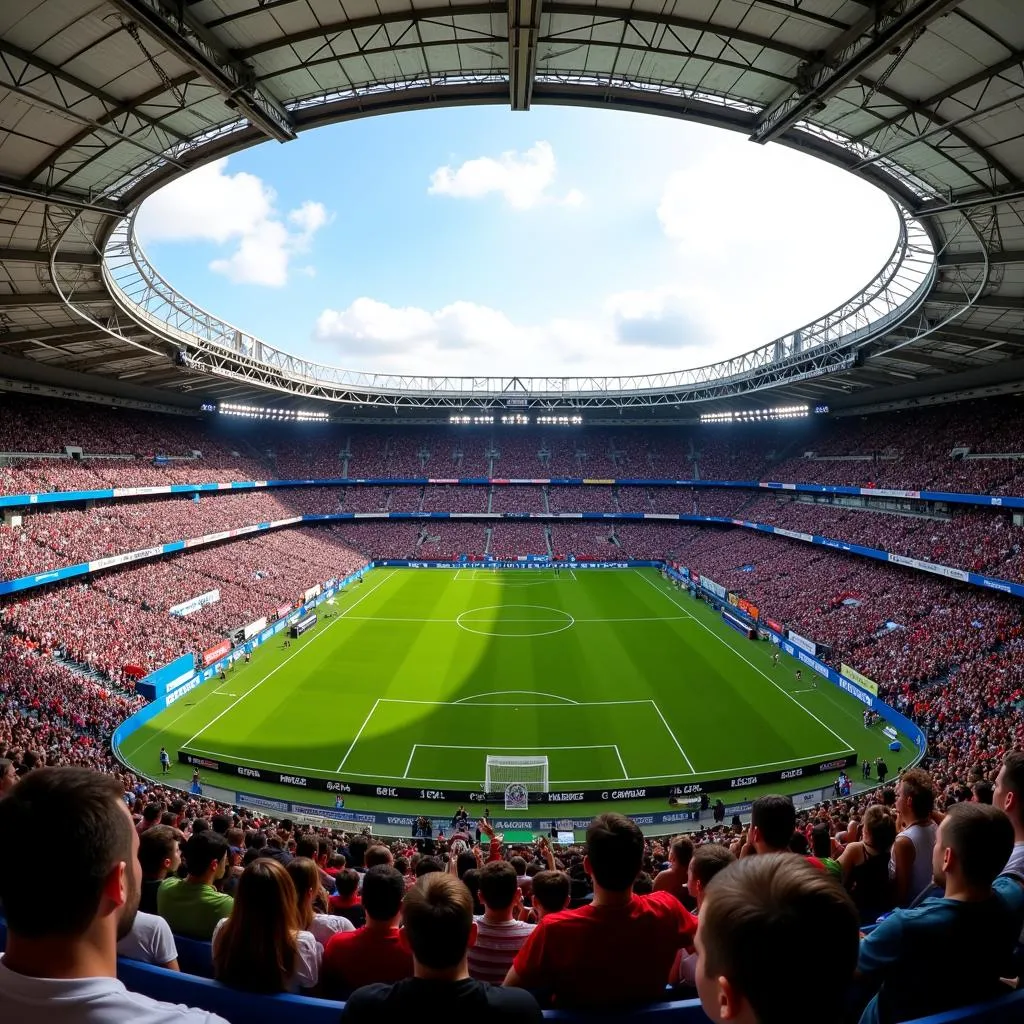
point(263, 948)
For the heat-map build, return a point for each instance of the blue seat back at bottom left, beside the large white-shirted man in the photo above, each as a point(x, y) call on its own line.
point(239, 1008)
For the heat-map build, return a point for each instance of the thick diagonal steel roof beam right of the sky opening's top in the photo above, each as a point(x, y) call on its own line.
point(877, 34)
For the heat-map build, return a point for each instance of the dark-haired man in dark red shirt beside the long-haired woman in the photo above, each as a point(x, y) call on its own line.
point(374, 953)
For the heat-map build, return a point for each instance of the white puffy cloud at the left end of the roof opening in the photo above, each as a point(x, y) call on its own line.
point(211, 205)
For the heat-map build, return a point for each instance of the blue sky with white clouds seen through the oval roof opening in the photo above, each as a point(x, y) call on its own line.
point(479, 241)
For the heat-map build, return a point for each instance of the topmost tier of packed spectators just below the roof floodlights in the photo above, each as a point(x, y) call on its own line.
point(973, 448)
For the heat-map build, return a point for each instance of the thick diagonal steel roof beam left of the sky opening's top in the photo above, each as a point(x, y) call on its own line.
point(192, 42)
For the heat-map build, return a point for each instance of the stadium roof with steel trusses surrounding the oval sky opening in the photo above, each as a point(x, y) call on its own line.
point(102, 102)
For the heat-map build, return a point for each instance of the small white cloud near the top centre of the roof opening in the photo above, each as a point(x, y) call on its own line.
point(523, 180)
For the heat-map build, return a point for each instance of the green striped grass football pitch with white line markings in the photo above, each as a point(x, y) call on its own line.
point(615, 675)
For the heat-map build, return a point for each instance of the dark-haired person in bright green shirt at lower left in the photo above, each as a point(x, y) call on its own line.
point(192, 906)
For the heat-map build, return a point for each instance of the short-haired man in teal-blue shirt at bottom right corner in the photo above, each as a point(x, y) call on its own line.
point(973, 928)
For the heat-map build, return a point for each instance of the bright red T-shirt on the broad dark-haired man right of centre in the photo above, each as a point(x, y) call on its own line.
point(595, 955)
